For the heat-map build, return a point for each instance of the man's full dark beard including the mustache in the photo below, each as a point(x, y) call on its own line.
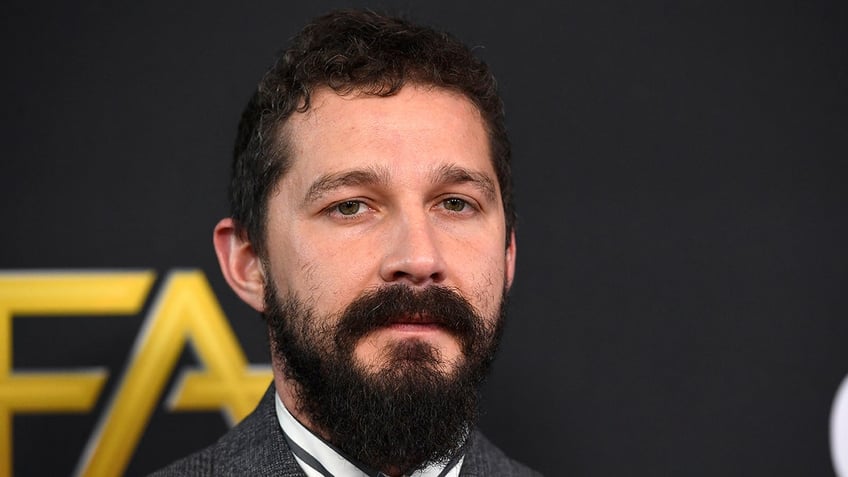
point(406, 413)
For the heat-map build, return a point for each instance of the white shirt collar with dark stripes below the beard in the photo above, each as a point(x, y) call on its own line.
point(318, 458)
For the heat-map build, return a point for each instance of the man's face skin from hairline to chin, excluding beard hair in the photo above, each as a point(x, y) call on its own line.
point(389, 191)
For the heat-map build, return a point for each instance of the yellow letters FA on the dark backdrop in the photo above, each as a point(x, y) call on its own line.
point(184, 311)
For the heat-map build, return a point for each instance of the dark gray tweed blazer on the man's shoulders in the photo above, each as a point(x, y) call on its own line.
point(256, 447)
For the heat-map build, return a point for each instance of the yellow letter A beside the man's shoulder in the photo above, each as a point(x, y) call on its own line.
point(185, 309)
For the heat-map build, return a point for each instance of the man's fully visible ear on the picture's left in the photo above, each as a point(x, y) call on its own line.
point(240, 264)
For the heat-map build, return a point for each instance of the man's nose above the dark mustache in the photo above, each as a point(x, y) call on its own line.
point(413, 254)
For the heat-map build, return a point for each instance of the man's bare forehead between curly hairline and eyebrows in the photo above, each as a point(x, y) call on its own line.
point(420, 125)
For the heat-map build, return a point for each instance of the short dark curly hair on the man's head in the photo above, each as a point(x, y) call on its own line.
point(353, 51)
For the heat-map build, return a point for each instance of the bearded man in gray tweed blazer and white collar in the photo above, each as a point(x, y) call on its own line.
point(372, 226)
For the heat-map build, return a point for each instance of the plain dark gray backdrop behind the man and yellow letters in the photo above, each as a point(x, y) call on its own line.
point(680, 306)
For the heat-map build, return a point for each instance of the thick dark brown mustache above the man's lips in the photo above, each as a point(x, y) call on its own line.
point(392, 304)
